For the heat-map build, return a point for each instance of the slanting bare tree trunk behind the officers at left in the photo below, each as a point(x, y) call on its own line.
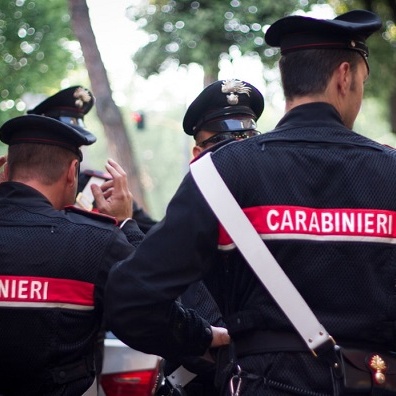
point(108, 113)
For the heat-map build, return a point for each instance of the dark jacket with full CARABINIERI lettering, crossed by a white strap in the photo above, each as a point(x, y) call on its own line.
point(322, 197)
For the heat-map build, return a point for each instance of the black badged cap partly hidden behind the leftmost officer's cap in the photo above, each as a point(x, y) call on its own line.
point(69, 105)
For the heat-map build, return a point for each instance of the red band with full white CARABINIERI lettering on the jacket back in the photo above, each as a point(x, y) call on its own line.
point(325, 224)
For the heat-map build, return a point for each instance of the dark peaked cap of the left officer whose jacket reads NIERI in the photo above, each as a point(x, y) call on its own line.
point(44, 130)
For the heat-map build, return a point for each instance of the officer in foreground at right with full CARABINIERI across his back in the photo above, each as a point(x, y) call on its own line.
point(294, 183)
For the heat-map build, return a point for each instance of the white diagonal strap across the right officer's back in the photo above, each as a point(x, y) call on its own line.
point(256, 253)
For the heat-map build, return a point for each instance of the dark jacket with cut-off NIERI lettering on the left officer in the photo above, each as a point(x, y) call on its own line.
point(54, 266)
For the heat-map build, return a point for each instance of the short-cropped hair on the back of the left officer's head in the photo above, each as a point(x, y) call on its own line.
point(43, 162)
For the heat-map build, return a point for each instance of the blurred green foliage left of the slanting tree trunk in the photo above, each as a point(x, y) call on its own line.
point(35, 51)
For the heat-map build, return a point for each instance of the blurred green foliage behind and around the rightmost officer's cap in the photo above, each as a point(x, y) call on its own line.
point(186, 31)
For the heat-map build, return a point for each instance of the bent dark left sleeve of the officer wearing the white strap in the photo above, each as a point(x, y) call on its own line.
point(141, 307)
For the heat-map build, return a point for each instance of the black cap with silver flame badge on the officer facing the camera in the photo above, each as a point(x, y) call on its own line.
point(224, 106)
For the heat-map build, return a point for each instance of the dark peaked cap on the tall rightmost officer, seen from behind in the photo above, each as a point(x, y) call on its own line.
point(347, 31)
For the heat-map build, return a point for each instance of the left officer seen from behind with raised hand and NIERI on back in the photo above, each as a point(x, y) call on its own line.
point(55, 259)
